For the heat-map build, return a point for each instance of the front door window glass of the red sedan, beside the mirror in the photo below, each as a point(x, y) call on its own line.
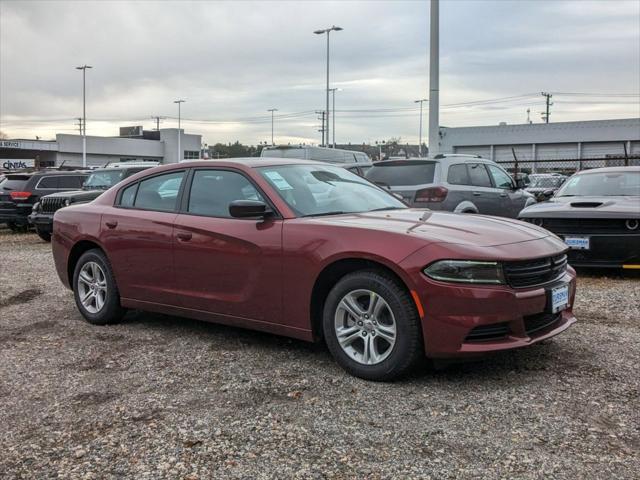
point(213, 190)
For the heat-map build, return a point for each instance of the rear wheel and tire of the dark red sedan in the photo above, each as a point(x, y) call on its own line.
point(98, 287)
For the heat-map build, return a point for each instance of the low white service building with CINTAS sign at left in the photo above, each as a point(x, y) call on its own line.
point(158, 145)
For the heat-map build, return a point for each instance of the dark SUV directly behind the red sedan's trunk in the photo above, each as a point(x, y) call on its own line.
point(99, 181)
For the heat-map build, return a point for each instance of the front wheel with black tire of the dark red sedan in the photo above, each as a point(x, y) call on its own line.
point(394, 306)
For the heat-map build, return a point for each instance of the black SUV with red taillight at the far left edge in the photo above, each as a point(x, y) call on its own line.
point(20, 191)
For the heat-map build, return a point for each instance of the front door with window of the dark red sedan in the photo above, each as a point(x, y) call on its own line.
point(226, 265)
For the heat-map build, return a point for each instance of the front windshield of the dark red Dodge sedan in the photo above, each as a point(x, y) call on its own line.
point(325, 190)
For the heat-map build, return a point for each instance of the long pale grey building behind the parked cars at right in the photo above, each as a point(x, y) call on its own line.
point(577, 141)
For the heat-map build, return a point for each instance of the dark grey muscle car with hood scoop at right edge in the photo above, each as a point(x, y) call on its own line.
point(597, 213)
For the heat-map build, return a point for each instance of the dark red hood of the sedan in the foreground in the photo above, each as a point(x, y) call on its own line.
point(441, 227)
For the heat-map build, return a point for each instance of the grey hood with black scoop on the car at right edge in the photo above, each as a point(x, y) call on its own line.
point(585, 207)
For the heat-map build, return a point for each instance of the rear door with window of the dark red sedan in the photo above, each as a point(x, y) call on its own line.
point(138, 235)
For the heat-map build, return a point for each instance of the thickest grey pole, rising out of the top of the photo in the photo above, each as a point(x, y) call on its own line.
point(434, 78)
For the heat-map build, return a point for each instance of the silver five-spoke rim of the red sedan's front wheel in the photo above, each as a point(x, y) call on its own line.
point(365, 327)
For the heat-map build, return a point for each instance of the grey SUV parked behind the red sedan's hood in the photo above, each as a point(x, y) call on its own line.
point(456, 183)
